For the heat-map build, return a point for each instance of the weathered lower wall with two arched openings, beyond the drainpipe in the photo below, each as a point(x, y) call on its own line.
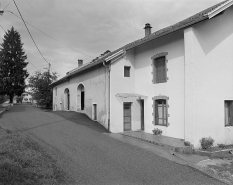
point(94, 82)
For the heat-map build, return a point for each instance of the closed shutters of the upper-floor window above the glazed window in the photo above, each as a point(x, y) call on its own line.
point(160, 74)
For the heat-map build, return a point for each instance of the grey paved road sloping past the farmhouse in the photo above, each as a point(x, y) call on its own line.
point(93, 156)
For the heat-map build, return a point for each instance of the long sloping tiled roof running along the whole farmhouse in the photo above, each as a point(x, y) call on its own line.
point(201, 16)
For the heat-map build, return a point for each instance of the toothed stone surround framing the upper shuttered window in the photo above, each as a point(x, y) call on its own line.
point(154, 73)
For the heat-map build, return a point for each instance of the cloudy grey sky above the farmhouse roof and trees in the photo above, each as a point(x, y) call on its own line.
point(84, 29)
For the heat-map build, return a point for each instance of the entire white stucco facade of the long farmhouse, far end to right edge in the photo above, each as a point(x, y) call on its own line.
point(199, 65)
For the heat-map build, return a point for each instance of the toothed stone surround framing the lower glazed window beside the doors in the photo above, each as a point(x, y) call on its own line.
point(155, 109)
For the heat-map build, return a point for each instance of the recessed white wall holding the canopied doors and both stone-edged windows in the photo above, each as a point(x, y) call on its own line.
point(140, 82)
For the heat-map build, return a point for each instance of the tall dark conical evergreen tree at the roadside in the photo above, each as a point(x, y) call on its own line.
point(12, 65)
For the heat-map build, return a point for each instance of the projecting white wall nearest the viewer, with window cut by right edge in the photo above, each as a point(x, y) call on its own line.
point(209, 79)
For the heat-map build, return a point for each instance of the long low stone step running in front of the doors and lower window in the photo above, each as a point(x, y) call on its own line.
point(178, 149)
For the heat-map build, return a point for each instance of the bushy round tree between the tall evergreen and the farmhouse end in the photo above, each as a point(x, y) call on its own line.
point(40, 89)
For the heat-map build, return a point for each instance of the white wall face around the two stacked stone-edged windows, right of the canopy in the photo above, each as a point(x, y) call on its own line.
point(173, 88)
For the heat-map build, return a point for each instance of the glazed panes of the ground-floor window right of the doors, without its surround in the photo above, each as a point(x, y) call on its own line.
point(160, 112)
